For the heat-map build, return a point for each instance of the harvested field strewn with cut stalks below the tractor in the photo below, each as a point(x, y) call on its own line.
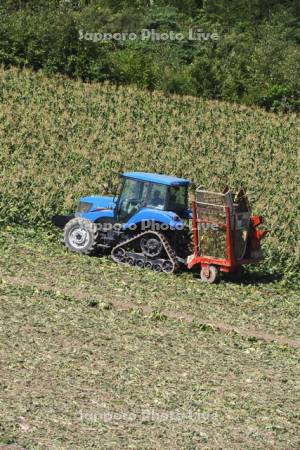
point(97, 356)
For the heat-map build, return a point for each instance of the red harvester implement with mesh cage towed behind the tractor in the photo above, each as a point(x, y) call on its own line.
point(225, 234)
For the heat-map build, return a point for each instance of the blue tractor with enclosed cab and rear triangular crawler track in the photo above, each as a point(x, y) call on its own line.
point(145, 225)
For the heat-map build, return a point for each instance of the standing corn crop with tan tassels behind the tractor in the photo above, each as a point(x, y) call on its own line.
point(61, 139)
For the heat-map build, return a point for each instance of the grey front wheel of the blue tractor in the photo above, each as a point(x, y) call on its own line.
point(81, 236)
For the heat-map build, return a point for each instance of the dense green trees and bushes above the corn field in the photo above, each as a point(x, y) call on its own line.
point(255, 59)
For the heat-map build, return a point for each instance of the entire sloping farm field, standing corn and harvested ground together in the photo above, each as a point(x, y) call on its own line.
point(98, 356)
